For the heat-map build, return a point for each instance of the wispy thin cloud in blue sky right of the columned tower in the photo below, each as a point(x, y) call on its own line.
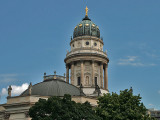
point(133, 61)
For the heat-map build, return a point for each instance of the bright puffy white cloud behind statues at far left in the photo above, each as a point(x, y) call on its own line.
point(16, 90)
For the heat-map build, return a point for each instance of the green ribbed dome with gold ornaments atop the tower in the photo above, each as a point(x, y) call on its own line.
point(86, 27)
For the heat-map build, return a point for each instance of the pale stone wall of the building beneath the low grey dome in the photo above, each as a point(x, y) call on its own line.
point(17, 108)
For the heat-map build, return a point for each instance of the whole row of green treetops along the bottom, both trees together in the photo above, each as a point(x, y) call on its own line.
point(111, 106)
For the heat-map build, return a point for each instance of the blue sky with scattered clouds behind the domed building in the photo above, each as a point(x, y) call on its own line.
point(35, 37)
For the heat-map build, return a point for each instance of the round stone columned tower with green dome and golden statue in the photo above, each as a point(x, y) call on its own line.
point(86, 61)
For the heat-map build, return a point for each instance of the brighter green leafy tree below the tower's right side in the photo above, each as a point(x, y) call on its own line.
point(124, 106)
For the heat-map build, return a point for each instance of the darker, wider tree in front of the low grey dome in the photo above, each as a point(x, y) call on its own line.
point(56, 108)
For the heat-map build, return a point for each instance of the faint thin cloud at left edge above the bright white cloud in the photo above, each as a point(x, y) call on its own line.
point(8, 77)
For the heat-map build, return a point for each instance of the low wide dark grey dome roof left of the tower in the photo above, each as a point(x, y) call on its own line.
point(54, 87)
